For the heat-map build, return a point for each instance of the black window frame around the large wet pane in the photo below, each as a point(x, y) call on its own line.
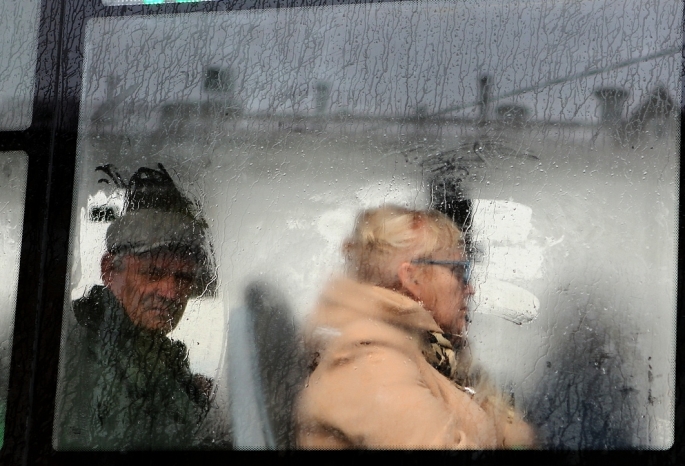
point(50, 142)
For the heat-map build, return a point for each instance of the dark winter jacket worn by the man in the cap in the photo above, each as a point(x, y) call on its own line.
point(122, 387)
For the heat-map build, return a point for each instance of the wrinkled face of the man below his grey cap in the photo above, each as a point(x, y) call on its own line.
point(153, 288)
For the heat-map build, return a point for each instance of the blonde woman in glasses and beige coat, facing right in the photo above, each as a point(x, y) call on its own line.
point(389, 361)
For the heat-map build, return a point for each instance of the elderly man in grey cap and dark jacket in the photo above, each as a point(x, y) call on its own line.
point(124, 384)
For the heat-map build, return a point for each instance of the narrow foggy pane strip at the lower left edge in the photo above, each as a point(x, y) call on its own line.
point(12, 192)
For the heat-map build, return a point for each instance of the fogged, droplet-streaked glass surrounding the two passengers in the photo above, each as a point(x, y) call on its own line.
point(547, 130)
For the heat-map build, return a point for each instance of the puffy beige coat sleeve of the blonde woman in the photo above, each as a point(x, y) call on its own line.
point(377, 397)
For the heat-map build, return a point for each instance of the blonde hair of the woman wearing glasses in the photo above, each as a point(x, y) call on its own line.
point(384, 237)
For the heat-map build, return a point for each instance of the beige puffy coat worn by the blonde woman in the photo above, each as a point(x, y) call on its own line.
point(372, 387)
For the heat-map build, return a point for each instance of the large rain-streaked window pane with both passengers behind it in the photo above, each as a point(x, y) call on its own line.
point(225, 159)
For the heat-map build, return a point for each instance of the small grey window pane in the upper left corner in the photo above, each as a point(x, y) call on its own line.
point(18, 41)
